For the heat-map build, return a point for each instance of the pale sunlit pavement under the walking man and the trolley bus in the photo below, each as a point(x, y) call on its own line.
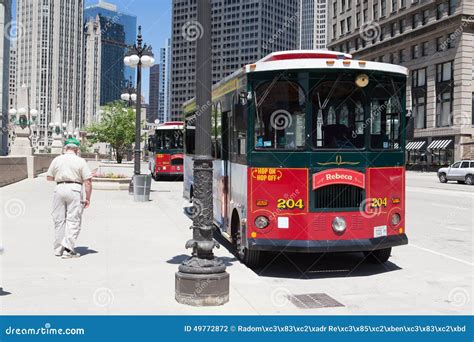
point(131, 252)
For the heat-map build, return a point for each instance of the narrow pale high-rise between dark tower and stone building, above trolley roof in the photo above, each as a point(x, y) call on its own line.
point(313, 24)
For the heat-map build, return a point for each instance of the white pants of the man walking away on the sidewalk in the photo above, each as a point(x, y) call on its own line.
point(67, 216)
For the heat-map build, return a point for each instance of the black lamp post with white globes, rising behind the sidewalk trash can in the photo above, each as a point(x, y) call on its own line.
point(139, 56)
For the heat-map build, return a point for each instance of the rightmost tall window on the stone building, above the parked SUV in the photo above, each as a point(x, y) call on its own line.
point(444, 94)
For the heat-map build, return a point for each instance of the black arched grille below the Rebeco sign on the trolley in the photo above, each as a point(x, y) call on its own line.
point(338, 196)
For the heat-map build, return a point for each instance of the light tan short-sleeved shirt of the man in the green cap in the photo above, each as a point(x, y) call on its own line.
point(69, 168)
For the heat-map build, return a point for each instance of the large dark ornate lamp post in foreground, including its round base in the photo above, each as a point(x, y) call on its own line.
point(202, 280)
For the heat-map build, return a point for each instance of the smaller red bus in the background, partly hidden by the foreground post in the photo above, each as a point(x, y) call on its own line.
point(166, 144)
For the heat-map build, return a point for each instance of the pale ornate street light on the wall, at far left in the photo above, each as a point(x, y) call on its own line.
point(23, 120)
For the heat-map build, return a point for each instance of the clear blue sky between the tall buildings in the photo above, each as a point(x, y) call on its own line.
point(155, 18)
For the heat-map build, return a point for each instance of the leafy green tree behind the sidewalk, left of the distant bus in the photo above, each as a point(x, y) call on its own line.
point(116, 127)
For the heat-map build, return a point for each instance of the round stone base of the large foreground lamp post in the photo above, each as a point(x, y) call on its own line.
point(202, 289)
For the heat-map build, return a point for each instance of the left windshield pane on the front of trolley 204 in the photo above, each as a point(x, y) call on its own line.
point(280, 116)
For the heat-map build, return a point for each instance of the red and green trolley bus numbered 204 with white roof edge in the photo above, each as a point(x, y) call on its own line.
point(308, 151)
